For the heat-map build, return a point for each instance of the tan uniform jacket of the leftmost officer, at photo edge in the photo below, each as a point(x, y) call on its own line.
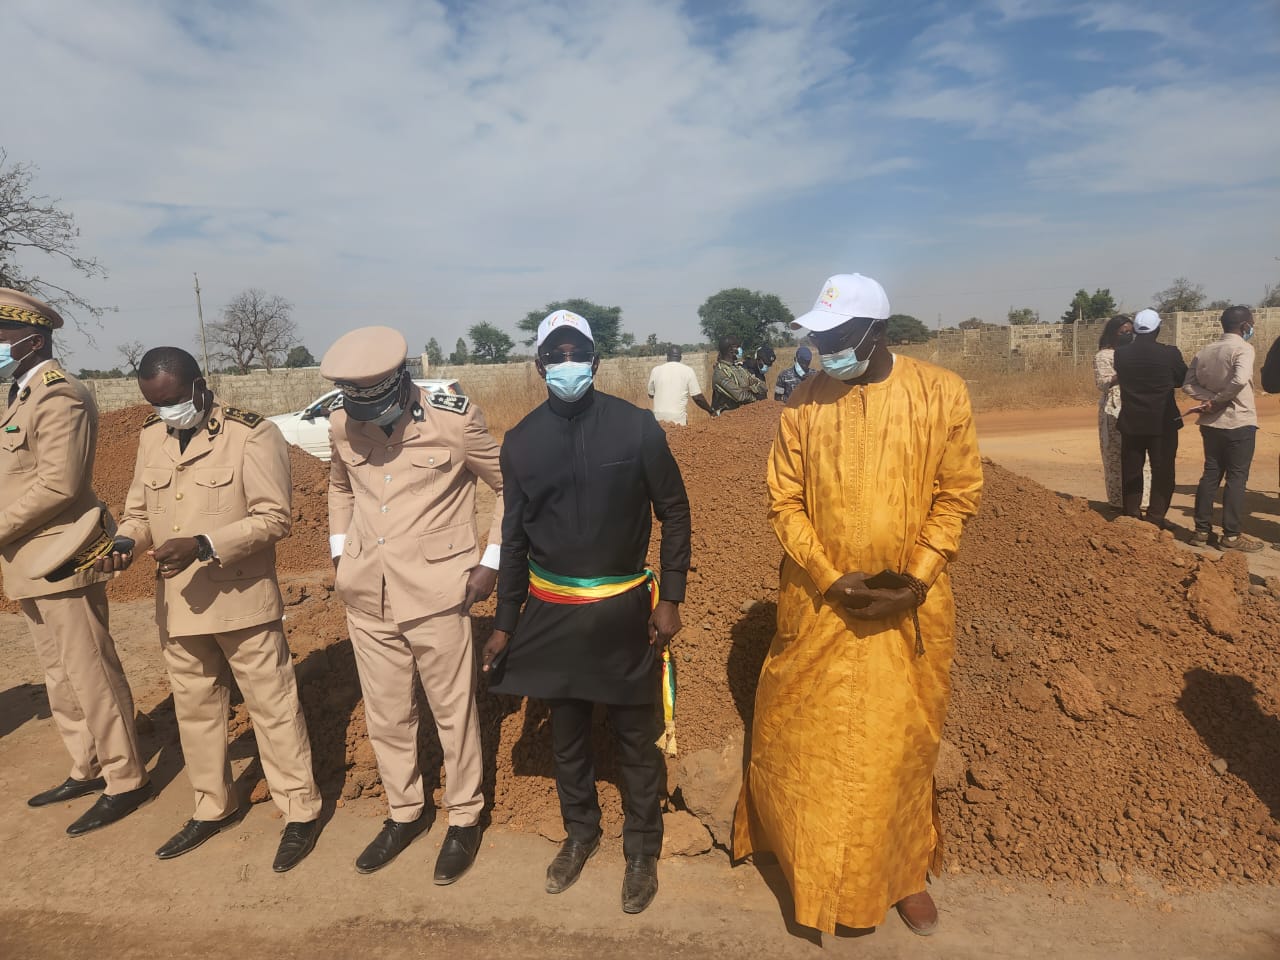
point(47, 470)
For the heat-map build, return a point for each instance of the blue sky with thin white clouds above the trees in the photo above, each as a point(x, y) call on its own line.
point(432, 166)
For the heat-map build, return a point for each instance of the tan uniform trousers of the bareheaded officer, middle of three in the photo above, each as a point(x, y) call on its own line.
point(200, 670)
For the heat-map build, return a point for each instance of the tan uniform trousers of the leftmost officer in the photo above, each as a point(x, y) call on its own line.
point(89, 696)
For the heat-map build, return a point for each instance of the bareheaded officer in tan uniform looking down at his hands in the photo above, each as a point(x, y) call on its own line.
point(211, 499)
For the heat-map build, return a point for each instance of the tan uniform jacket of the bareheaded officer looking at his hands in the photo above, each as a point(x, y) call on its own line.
point(231, 484)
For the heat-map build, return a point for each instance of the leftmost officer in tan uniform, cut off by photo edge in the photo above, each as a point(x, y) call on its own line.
point(48, 438)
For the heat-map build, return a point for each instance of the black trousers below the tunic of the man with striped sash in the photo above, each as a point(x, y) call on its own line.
point(641, 771)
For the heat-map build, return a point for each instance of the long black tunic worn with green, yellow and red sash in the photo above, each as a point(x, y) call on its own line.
point(579, 481)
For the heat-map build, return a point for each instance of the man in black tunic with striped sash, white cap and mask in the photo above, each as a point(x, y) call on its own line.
point(580, 476)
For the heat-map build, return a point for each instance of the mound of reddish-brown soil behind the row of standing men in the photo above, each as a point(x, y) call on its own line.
point(1114, 708)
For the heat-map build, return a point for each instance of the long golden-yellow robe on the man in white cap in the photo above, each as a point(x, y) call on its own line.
point(848, 719)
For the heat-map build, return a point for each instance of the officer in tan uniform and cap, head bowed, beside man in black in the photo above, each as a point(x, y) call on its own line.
point(403, 495)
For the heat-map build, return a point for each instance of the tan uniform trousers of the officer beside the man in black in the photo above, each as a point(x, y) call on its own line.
point(440, 651)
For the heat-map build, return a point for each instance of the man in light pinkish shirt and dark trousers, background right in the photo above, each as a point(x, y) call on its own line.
point(1222, 378)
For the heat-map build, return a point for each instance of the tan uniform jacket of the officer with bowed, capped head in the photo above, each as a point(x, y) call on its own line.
point(406, 504)
